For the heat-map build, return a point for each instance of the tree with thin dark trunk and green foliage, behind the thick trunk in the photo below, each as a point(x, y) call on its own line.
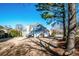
point(53, 12)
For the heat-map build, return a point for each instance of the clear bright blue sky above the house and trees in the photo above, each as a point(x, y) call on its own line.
point(16, 13)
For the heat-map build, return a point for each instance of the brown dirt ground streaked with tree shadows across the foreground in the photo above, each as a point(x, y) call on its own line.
point(21, 46)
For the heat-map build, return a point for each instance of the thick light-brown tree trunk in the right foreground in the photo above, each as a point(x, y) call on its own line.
point(71, 28)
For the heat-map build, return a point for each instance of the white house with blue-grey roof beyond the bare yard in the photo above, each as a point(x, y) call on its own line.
point(35, 30)
